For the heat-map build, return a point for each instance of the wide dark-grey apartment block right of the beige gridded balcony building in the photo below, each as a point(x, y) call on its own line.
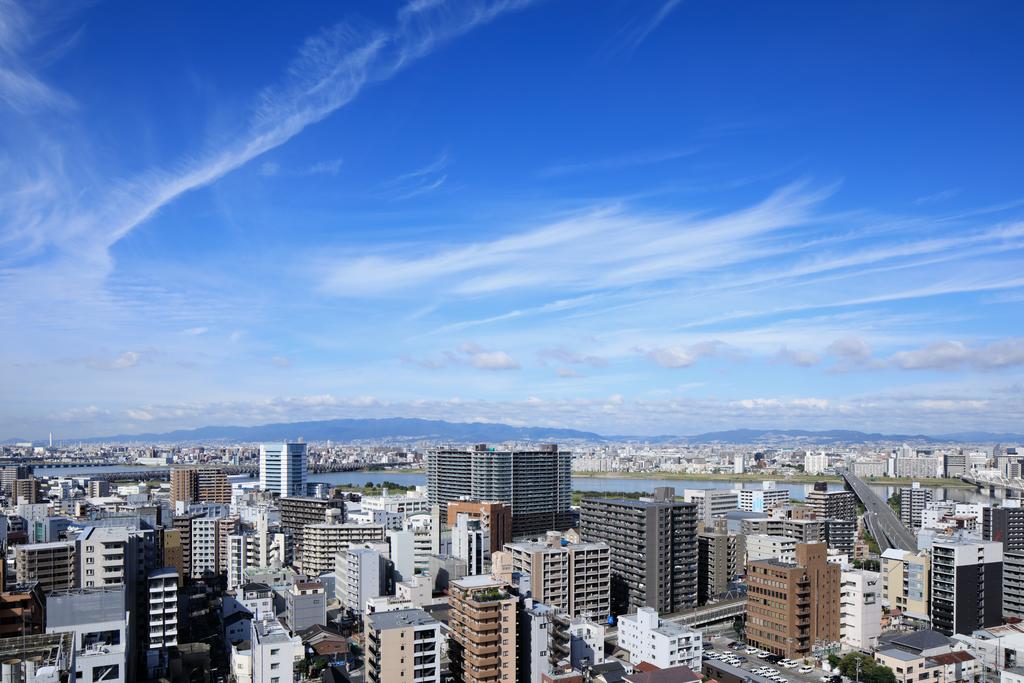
point(654, 550)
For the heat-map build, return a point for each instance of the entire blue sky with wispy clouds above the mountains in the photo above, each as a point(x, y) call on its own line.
point(633, 218)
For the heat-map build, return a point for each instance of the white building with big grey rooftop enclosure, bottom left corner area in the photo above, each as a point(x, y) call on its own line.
point(100, 621)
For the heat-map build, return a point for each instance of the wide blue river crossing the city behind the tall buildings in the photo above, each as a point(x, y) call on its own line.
point(580, 483)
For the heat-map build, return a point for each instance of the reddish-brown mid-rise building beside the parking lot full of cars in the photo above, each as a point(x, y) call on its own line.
point(793, 607)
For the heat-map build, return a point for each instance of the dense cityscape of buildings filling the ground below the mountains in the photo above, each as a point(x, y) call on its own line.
point(246, 564)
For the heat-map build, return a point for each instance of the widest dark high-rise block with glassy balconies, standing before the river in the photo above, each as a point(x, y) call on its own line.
point(536, 485)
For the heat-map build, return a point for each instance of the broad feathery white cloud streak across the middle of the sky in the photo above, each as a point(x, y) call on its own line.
point(610, 247)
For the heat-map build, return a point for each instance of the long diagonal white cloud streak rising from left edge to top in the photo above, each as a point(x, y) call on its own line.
point(331, 70)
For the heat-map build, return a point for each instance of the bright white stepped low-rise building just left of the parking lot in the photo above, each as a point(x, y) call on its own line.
point(662, 644)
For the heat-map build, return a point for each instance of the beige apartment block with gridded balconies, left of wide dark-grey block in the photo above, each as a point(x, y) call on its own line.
point(575, 579)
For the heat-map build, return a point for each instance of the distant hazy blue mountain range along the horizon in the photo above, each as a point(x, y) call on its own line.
point(412, 430)
